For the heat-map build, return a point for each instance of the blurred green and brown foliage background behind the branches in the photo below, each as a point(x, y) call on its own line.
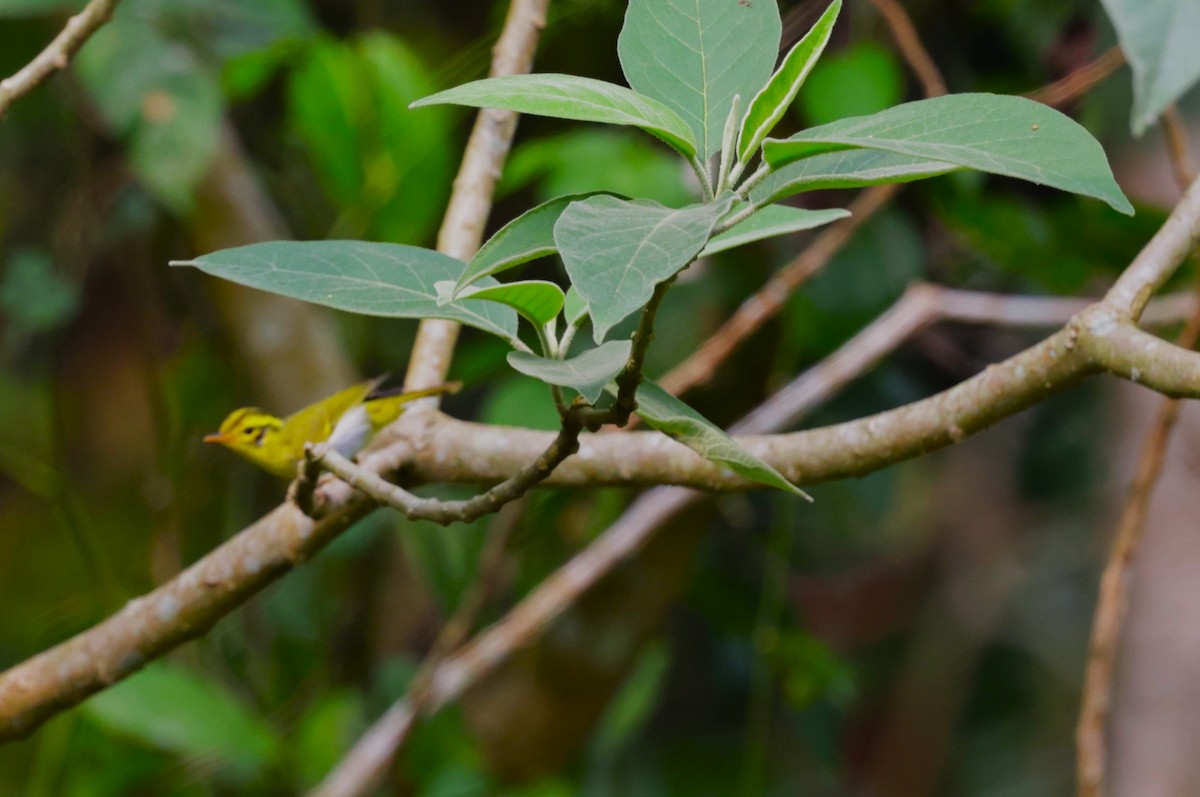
point(917, 632)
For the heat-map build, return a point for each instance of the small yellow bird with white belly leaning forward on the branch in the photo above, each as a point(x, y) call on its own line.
point(346, 421)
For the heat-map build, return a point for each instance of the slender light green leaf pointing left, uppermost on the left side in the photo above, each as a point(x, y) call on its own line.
point(567, 97)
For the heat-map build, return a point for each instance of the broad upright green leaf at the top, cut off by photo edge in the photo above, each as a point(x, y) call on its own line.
point(695, 56)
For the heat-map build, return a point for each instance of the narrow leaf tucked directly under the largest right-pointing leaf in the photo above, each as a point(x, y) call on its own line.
point(847, 170)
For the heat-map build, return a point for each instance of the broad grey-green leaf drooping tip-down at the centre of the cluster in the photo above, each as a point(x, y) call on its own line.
point(616, 251)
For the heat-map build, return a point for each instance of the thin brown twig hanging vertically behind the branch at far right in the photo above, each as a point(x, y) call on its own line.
point(1113, 604)
